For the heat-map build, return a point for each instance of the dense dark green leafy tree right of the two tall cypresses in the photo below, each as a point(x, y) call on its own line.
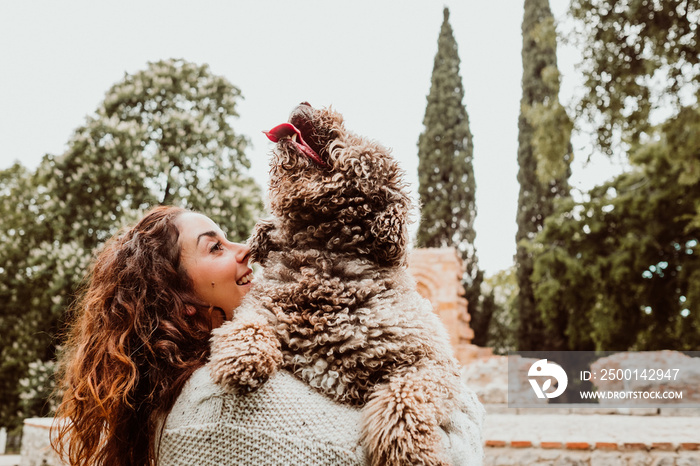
point(620, 270)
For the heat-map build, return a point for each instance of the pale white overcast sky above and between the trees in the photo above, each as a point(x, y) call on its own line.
point(370, 60)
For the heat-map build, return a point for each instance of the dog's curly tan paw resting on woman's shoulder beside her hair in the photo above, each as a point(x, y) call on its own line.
point(244, 354)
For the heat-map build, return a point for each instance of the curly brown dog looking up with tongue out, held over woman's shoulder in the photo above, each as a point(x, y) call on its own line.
point(335, 304)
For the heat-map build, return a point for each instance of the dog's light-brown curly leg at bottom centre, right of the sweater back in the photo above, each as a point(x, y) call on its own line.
point(402, 418)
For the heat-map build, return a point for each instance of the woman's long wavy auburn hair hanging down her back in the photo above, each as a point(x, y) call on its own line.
point(138, 335)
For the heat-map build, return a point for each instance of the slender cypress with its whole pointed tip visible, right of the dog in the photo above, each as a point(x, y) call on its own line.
point(446, 174)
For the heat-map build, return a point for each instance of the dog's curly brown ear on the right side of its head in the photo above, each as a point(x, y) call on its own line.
point(390, 233)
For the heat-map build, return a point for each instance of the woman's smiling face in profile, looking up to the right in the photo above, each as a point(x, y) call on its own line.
point(217, 267)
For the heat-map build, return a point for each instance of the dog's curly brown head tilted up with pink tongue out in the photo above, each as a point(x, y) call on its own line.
point(337, 191)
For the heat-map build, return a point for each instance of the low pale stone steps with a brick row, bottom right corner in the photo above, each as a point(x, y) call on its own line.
point(591, 439)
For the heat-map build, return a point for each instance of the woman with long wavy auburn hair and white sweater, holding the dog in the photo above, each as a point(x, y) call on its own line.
point(142, 331)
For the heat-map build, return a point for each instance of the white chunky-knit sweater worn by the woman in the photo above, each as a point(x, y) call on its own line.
point(285, 422)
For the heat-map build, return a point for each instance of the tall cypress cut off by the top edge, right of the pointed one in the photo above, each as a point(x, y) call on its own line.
point(544, 157)
